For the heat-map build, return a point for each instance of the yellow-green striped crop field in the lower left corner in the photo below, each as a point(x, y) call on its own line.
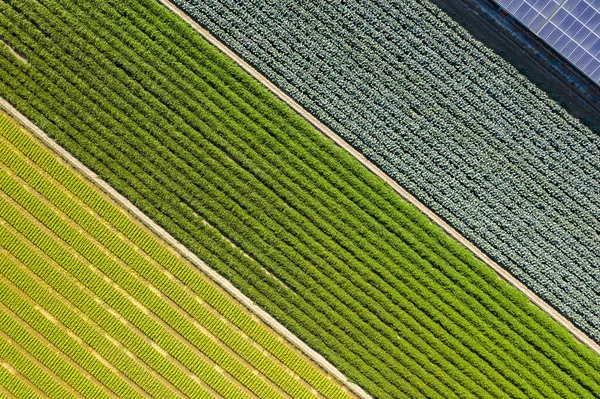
point(93, 305)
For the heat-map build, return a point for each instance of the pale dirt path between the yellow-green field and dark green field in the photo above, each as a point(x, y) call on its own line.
point(190, 256)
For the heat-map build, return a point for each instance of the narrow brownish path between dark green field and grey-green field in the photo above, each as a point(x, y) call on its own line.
point(322, 128)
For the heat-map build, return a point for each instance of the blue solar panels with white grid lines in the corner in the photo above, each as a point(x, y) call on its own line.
point(571, 27)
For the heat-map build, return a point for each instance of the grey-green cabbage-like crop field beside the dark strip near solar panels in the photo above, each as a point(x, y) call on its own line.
point(450, 121)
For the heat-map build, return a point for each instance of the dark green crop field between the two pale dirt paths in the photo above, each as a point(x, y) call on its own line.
point(296, 223)
